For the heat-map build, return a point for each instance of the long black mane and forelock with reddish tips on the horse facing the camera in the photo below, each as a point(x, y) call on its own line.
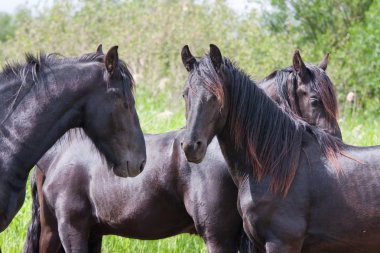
point(271, 138)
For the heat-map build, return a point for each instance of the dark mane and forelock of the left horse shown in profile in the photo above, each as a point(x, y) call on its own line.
point(17, 80)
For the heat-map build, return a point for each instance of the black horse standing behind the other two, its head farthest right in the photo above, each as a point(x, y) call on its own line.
point(179, 196)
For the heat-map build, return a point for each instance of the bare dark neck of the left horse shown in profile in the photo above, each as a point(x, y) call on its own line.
point(41, 118)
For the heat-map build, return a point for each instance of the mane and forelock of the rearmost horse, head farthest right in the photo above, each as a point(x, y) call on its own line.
point(320, 83)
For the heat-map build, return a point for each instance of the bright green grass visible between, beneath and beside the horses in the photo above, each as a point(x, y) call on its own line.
point(155, 117)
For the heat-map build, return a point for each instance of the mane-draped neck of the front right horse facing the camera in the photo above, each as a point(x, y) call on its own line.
point(258, 135)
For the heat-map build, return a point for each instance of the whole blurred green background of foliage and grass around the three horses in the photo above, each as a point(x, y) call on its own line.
point(261, 37)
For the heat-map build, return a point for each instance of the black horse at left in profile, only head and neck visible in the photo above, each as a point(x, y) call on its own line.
point(42, 99)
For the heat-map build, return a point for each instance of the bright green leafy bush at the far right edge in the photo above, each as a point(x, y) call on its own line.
point(359, 62)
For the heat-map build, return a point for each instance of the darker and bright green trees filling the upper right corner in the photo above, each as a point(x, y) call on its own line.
point(349, 30)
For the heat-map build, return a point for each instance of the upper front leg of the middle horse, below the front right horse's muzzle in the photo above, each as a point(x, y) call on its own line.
point(214, 212)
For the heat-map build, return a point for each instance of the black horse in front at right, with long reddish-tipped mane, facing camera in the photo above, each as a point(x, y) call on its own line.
point(300, 189)
